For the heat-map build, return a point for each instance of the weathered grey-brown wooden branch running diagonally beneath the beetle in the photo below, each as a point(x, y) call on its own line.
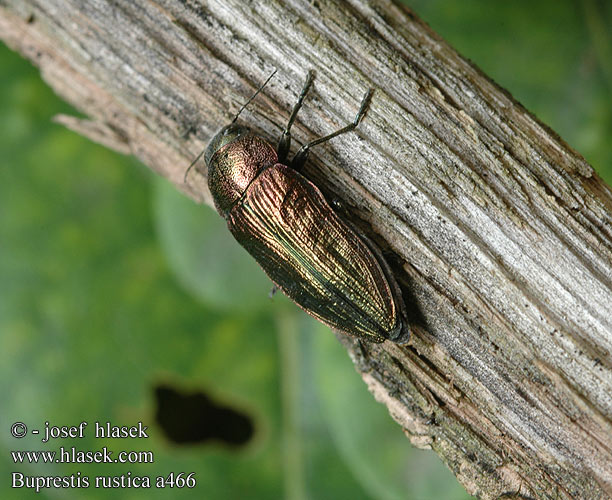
point(501, 233)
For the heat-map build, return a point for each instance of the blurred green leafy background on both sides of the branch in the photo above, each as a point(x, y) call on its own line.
point(111, 283)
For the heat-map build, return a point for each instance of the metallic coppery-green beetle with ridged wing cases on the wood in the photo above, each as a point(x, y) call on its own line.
point(282, 219)
